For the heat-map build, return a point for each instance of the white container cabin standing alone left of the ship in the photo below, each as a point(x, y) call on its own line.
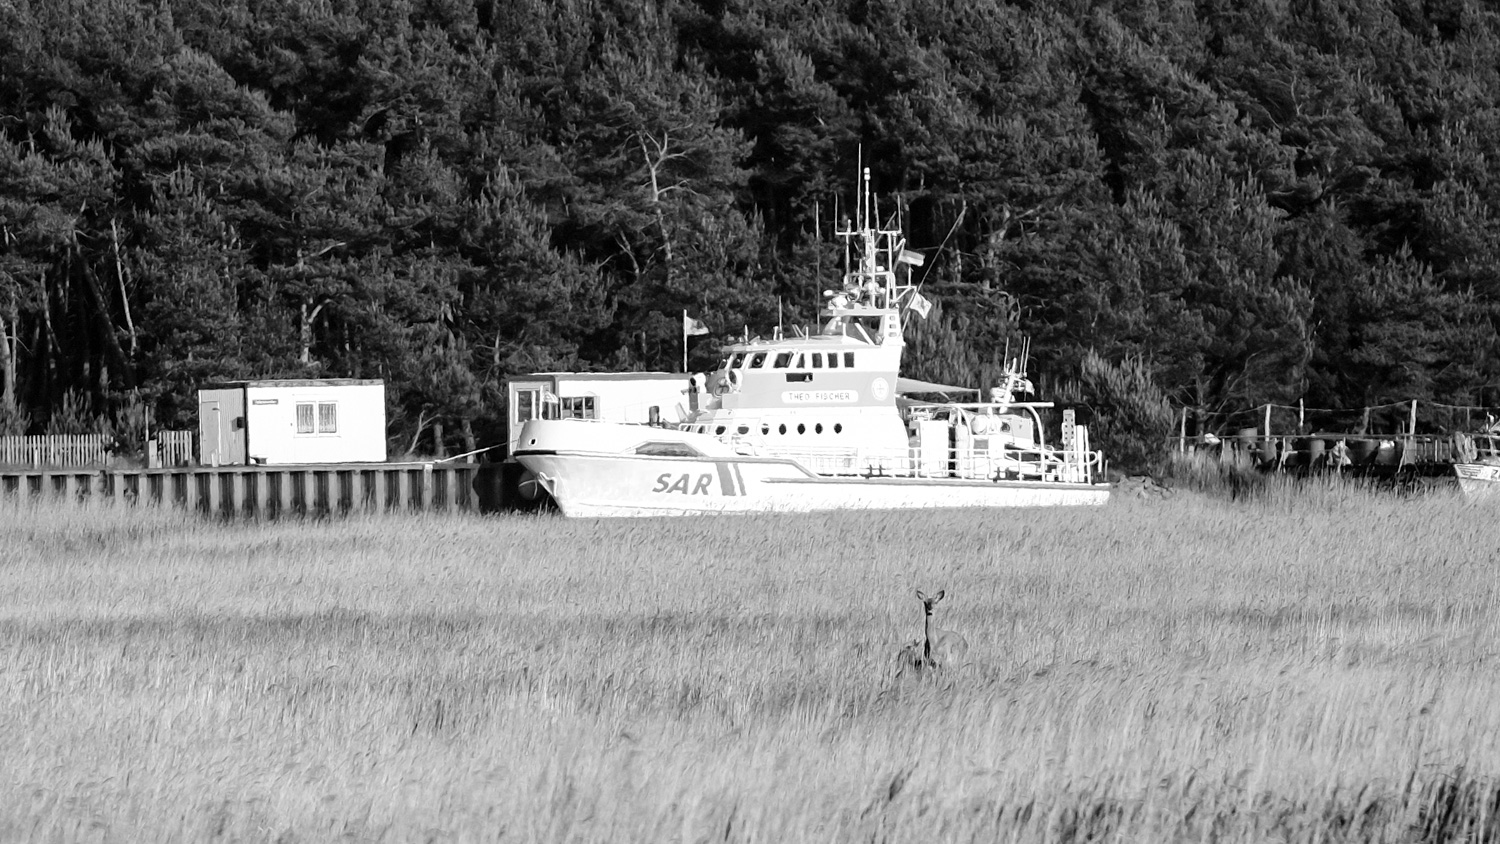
point(292, 422)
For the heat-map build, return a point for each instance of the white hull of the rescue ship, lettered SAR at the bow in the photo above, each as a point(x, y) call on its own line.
point(589, 485)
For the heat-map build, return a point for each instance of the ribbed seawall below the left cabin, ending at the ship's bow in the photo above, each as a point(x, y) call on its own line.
point(266, 491)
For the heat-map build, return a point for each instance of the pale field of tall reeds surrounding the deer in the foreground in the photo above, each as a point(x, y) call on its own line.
point(1313, 663)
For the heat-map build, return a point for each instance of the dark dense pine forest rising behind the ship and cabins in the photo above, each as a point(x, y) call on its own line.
point(1217, 203)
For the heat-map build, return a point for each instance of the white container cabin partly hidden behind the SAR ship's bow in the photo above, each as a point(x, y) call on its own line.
point(640, 398)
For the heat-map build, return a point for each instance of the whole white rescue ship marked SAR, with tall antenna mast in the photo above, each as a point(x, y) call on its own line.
point(824, 422)
